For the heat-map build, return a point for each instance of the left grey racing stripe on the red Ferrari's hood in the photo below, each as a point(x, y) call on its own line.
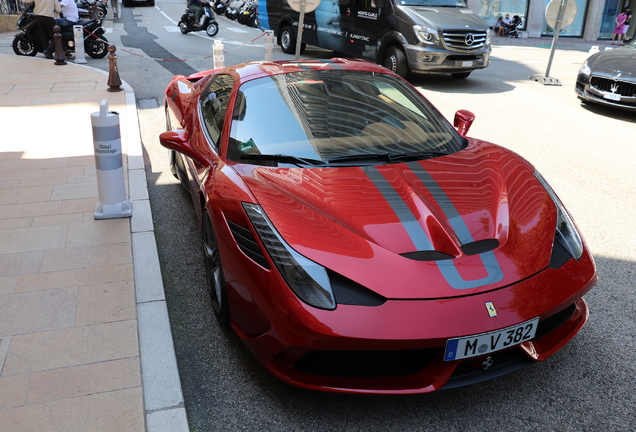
point(405, 215)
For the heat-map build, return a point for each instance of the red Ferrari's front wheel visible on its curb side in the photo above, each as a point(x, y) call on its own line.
point(214, 271)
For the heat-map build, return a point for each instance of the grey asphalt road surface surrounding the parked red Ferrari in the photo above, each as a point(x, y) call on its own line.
point(587, 153)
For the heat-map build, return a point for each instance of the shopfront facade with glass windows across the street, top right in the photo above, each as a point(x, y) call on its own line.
point(594, 19)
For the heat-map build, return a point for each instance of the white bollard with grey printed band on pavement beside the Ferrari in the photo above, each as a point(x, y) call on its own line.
point(109, 166)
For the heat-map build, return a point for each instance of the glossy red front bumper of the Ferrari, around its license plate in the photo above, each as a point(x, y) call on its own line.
point(398, 348)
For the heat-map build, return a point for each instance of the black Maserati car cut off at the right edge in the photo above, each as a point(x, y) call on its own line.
point(609, 78)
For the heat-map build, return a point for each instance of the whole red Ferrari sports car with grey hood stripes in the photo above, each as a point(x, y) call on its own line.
point(357, 242)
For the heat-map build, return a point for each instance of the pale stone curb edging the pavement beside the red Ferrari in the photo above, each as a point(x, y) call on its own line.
point(163, 398)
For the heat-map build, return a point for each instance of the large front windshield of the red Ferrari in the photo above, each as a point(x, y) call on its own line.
point(336, 118)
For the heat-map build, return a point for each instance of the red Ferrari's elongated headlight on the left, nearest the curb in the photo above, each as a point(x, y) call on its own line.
point(307, 279)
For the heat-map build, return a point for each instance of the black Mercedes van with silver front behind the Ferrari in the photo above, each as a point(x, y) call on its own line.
point(422, 36)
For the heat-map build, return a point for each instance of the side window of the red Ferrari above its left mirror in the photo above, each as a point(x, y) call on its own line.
point(214, 103)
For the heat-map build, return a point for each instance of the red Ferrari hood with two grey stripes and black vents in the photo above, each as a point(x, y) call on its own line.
point(453, 225)
